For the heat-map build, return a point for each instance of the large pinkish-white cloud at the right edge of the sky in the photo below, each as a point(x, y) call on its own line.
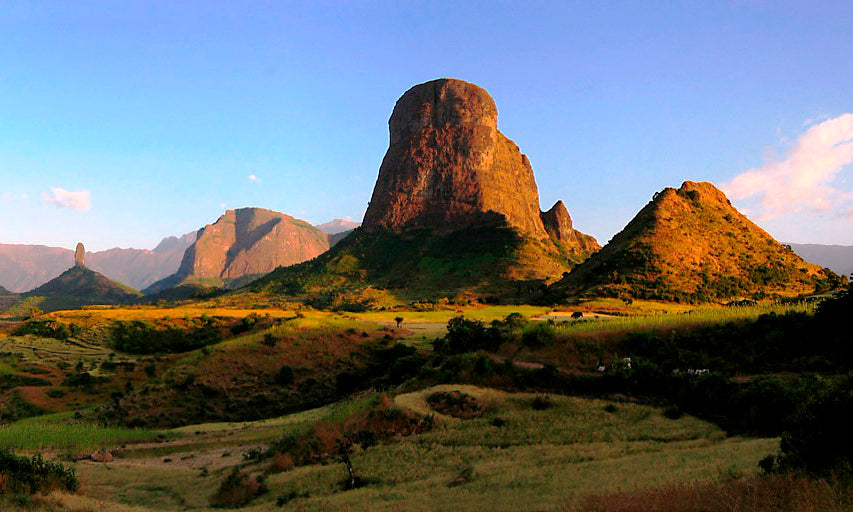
point(807, 178)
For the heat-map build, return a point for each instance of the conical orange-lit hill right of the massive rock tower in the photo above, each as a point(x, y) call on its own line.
point(691, 244)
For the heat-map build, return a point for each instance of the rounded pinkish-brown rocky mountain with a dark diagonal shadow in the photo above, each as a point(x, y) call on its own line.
point(244, 243)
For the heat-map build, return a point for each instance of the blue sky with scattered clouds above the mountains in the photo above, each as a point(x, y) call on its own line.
point(125, 122)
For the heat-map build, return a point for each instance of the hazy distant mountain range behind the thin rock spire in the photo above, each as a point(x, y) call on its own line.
point(24, 267)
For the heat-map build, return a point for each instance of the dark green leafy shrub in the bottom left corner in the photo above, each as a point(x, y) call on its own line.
point(22, 475)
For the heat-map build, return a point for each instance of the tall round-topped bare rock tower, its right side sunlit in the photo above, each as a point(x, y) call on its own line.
point(448, 166)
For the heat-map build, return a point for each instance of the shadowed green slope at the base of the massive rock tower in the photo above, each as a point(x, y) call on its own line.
point(487, 261)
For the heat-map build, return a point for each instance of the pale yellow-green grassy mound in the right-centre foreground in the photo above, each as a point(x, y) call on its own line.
point(537, 460)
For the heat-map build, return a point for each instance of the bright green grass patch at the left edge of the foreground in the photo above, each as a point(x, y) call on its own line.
point(61, 432)
